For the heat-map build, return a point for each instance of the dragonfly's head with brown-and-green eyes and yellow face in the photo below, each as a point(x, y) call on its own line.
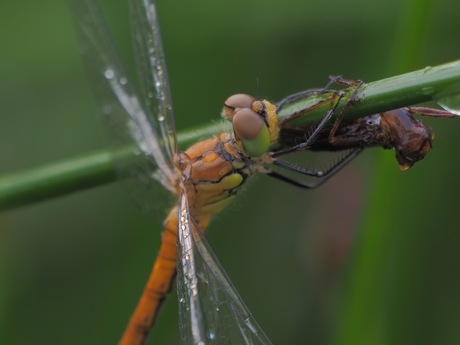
point(255, 123)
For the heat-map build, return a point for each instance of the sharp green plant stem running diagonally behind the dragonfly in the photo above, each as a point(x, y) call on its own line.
point(94, 169)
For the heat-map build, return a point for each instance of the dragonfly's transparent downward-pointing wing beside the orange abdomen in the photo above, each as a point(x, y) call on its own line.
point(210, 309)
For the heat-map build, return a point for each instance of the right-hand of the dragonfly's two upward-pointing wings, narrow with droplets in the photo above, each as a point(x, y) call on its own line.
point(151, 68)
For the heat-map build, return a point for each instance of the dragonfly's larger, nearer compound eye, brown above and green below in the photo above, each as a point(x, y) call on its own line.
point(251, 130)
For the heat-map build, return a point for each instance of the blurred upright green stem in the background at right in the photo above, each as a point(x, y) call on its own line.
point(363, 319)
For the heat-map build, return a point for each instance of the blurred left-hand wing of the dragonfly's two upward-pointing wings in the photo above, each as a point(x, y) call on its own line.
point(132, 133)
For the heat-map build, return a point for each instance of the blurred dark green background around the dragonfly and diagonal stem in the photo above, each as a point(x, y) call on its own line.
point(370, 258)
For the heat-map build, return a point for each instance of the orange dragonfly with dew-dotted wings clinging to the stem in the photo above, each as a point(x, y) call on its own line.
point(203, 179)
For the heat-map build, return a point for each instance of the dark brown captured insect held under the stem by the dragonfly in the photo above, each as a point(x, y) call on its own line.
point(394, 129)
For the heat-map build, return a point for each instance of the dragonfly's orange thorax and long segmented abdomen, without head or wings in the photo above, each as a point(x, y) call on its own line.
point(212, 184)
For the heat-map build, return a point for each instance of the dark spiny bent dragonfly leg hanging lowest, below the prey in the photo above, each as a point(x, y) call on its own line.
point(323, 175)
